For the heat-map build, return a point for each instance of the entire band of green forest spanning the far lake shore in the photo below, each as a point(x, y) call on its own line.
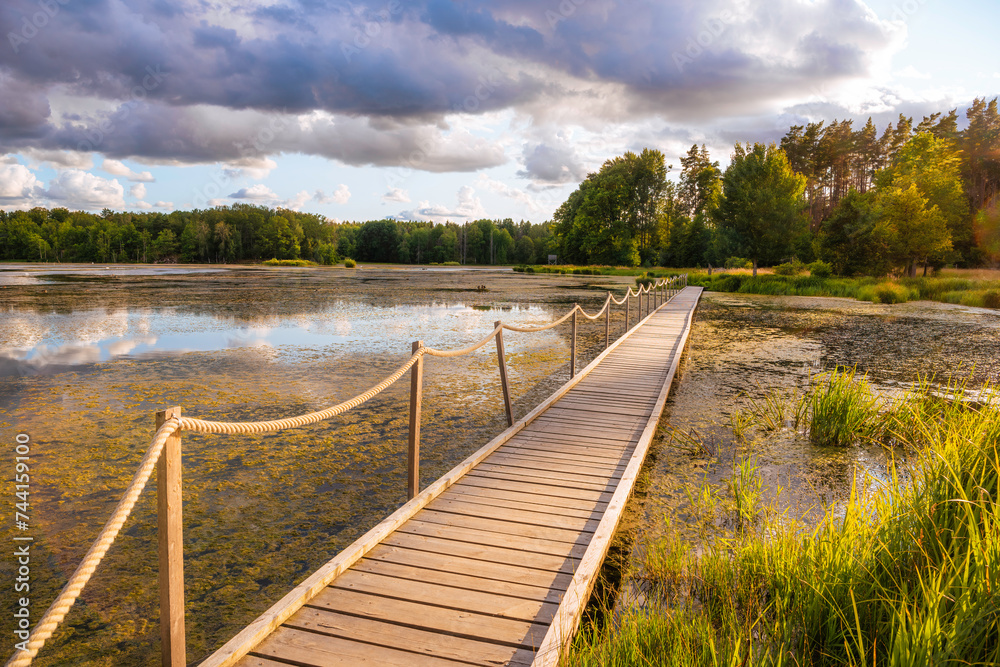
point(867, 203)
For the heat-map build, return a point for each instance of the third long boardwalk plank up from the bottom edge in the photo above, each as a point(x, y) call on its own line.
point(512, 632)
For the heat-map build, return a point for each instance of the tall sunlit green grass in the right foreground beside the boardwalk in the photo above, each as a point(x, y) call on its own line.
point(905, 572)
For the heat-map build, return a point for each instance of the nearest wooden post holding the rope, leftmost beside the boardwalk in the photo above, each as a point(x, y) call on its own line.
point(170, 529)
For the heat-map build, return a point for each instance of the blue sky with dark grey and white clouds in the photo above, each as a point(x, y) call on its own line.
point(442, 109)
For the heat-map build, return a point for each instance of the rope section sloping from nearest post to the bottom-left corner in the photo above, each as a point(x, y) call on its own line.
point(71, 591)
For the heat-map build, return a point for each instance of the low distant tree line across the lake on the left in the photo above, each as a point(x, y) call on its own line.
point(250, 233)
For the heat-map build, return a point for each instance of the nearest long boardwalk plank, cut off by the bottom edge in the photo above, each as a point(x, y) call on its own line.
point(311, 649)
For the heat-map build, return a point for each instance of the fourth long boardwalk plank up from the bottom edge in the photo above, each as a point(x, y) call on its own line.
point(438, 596)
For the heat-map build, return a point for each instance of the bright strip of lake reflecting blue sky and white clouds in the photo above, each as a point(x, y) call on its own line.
point(32, 343)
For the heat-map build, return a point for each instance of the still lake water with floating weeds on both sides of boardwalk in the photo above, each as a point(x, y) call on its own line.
point(87, 354)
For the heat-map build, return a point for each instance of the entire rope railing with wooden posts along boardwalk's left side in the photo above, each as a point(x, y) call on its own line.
point(170, 423)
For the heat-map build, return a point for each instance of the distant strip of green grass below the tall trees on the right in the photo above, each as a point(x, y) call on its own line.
point(982, 293)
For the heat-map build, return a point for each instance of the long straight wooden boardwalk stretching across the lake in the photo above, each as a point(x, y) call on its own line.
point(492, 564)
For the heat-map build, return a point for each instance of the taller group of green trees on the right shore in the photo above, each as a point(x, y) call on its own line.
point(865, 202)
